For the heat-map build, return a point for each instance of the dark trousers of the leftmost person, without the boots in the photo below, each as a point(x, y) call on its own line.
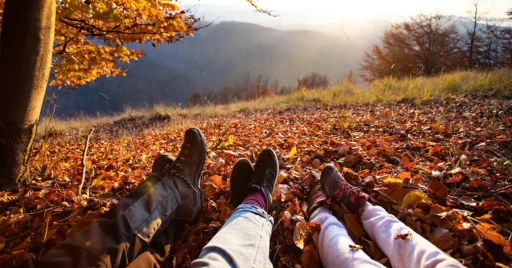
point(138, 230)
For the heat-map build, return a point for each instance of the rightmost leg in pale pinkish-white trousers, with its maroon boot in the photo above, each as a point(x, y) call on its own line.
point(383, 227)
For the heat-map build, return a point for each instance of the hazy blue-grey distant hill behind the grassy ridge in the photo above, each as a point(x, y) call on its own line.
point(215, 55)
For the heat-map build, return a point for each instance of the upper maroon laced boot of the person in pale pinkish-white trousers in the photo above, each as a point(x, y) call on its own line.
point(340, 192)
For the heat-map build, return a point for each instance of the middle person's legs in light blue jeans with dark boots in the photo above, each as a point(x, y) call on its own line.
point(244, 239)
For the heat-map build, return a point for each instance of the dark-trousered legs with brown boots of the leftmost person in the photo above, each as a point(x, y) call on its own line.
point(117, 238)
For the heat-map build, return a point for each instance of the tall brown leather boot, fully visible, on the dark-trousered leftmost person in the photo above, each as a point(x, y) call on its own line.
point(185, 172)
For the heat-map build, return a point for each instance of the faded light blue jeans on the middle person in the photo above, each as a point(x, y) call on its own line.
point(243, 241)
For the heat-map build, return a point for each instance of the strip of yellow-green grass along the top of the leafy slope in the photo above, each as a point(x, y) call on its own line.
point(386, 90)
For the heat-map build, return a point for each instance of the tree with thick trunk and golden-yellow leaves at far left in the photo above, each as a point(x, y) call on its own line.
point(82, 40)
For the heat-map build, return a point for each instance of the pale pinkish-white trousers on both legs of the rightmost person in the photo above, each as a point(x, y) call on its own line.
point(333, 242)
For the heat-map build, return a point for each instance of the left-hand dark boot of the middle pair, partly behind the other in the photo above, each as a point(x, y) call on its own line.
point(240, 177)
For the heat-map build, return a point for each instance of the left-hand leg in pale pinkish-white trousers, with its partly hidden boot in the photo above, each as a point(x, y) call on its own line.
point(333, 241)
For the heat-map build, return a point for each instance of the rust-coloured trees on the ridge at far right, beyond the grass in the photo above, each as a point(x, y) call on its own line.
point(431, 44)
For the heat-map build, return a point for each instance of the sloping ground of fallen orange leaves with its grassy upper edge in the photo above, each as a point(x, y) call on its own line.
point(437, 158)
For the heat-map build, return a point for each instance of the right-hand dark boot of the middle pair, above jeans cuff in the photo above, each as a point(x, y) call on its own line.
point(265, 176)
